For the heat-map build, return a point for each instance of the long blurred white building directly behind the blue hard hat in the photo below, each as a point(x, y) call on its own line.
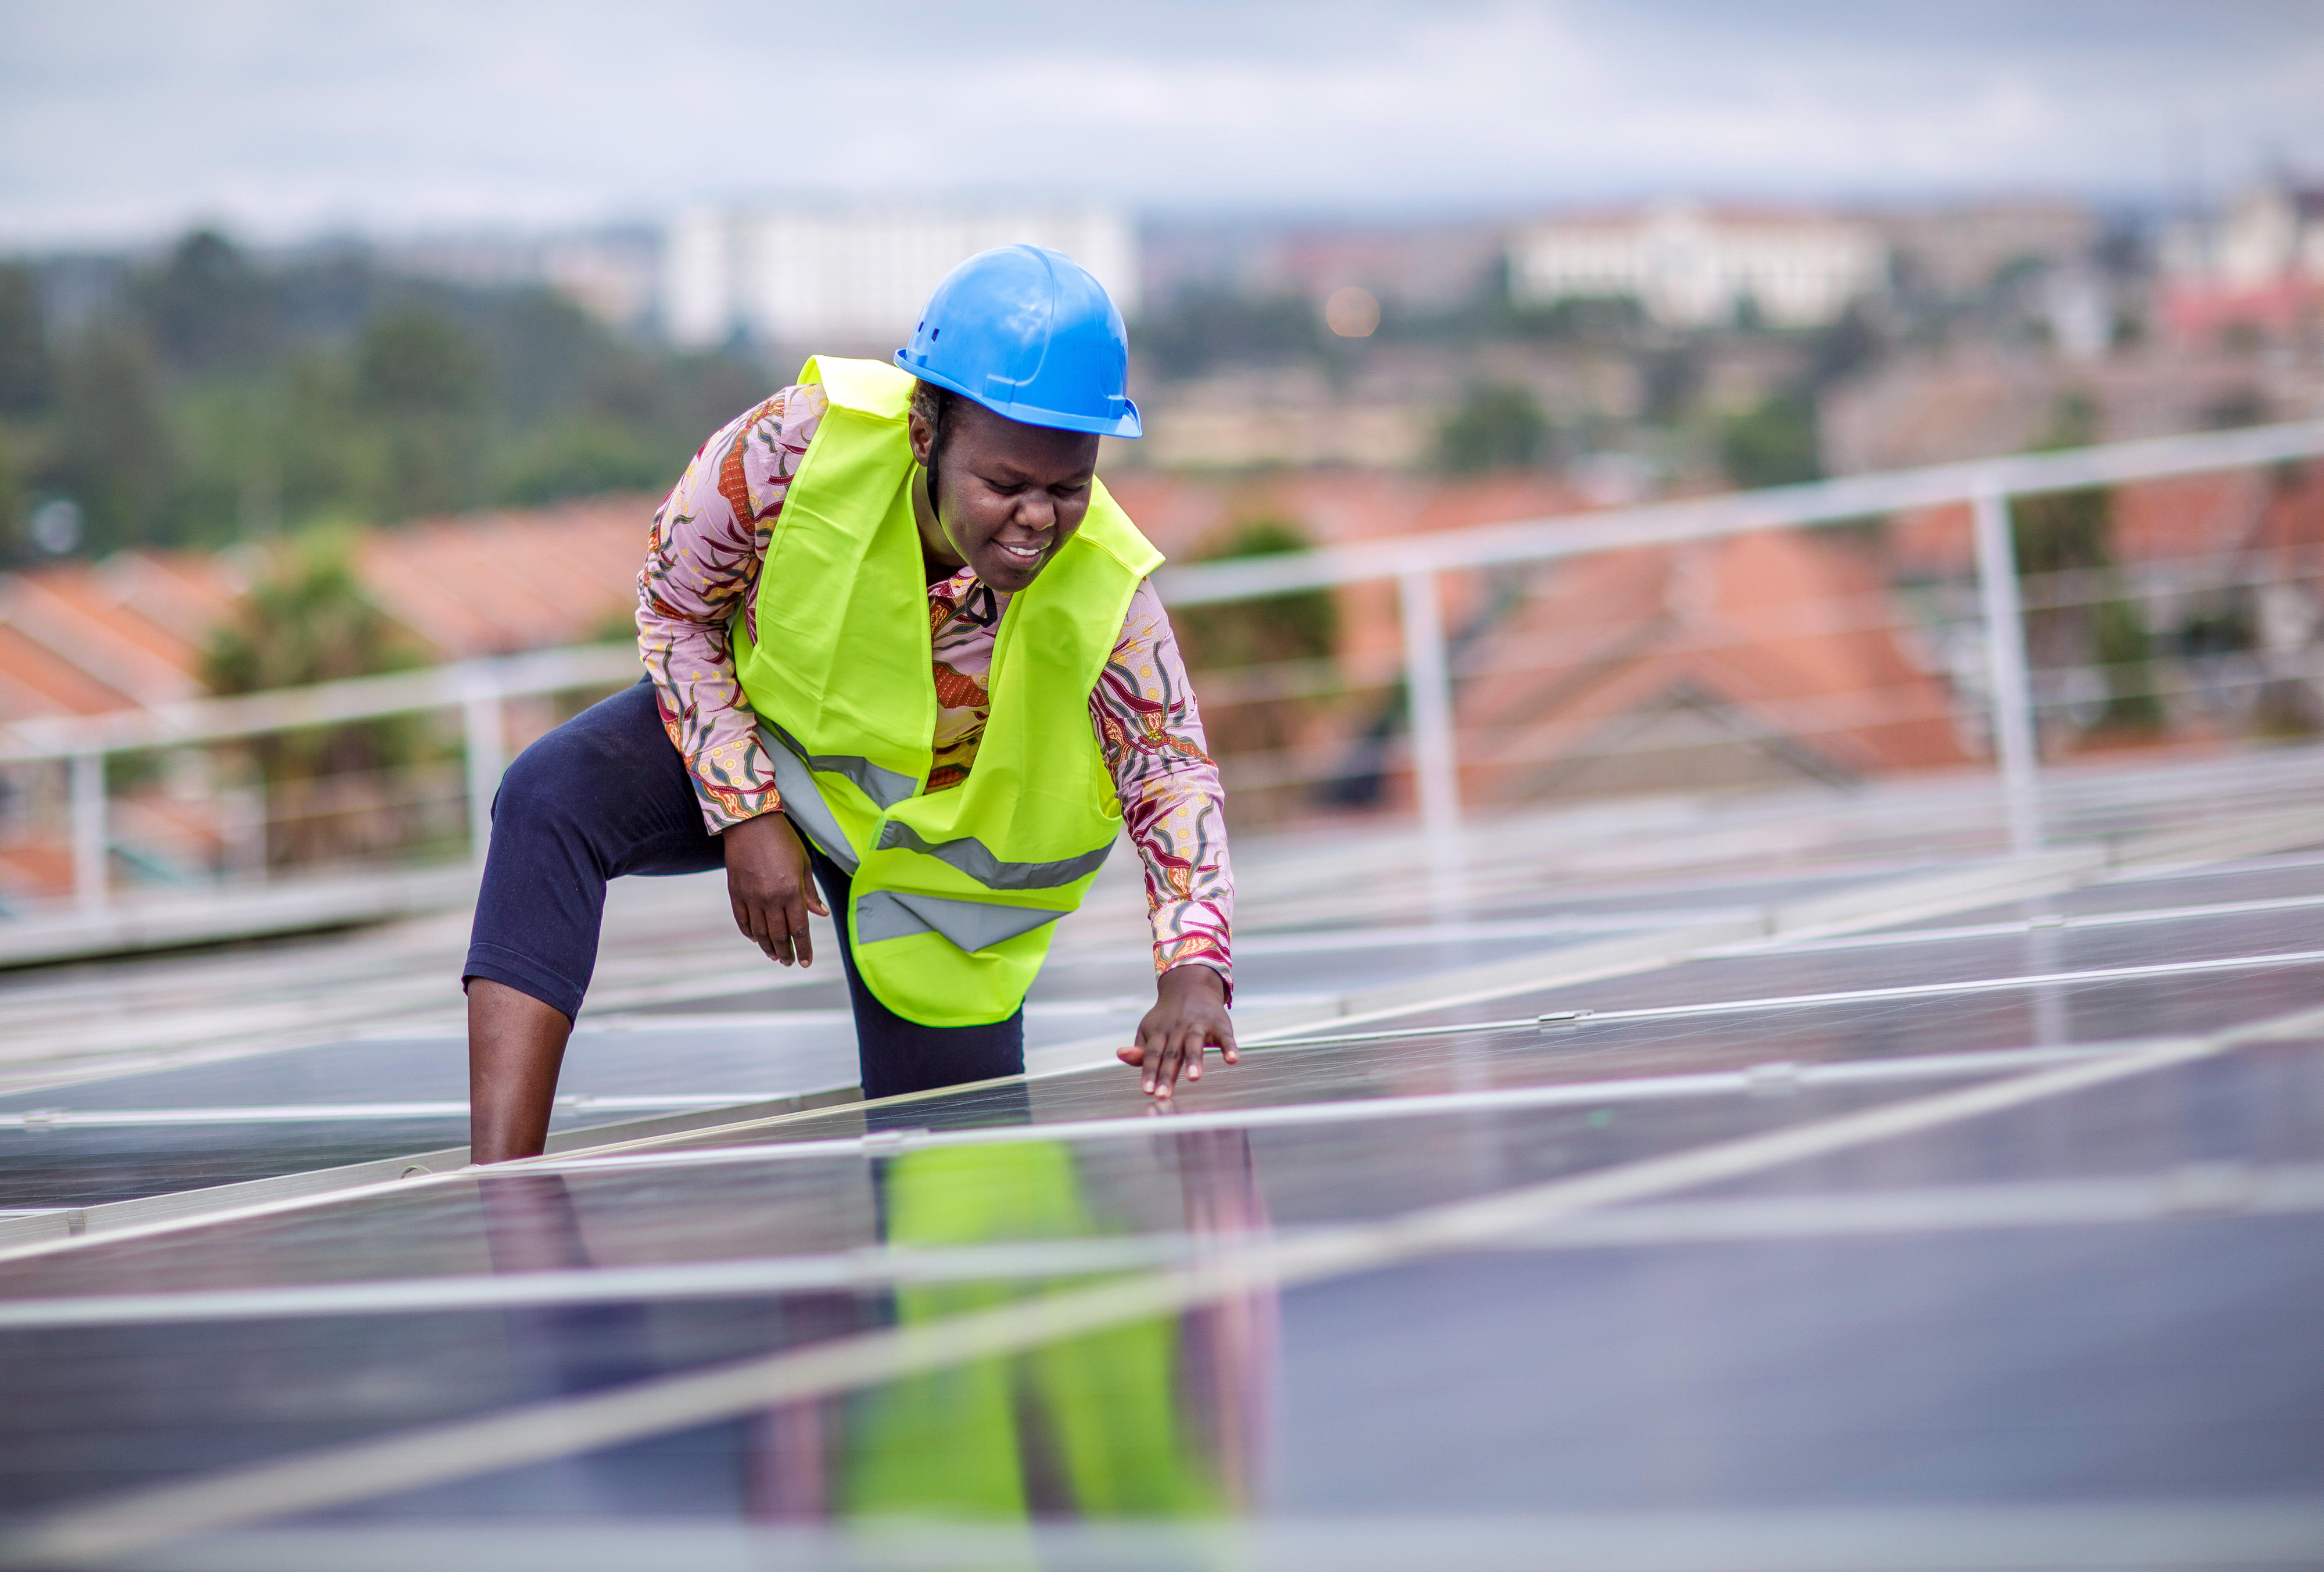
point(854, 278)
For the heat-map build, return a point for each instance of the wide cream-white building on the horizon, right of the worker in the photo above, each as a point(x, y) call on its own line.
point(1695, 266)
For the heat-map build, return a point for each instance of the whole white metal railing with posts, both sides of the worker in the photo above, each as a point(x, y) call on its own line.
point(1416, 566)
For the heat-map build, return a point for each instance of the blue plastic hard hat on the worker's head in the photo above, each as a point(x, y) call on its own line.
point(1033, 336)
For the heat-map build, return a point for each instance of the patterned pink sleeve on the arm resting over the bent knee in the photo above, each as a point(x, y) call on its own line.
point(703, 562)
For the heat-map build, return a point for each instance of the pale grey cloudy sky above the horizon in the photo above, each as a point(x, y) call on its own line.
point(287, 117)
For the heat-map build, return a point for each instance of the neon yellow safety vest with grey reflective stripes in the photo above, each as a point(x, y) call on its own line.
point(954, 894)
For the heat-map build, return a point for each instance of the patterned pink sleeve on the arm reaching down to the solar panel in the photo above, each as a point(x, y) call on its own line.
point(1172, 801)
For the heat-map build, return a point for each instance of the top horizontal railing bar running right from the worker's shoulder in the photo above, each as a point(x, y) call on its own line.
point(1742, 510)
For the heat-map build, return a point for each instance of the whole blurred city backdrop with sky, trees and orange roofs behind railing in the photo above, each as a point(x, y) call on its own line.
point(345, 348)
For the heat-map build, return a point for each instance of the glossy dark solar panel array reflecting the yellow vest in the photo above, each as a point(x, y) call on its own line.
point(1677, 1206)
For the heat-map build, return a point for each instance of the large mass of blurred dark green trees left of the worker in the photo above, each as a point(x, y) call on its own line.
point(210, 396)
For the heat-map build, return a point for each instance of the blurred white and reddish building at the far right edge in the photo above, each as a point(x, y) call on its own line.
point(2260, 264)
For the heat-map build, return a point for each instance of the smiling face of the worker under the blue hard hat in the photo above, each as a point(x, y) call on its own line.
point(1005, 494)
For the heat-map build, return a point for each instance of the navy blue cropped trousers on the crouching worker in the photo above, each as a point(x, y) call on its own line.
point(608, 796)
